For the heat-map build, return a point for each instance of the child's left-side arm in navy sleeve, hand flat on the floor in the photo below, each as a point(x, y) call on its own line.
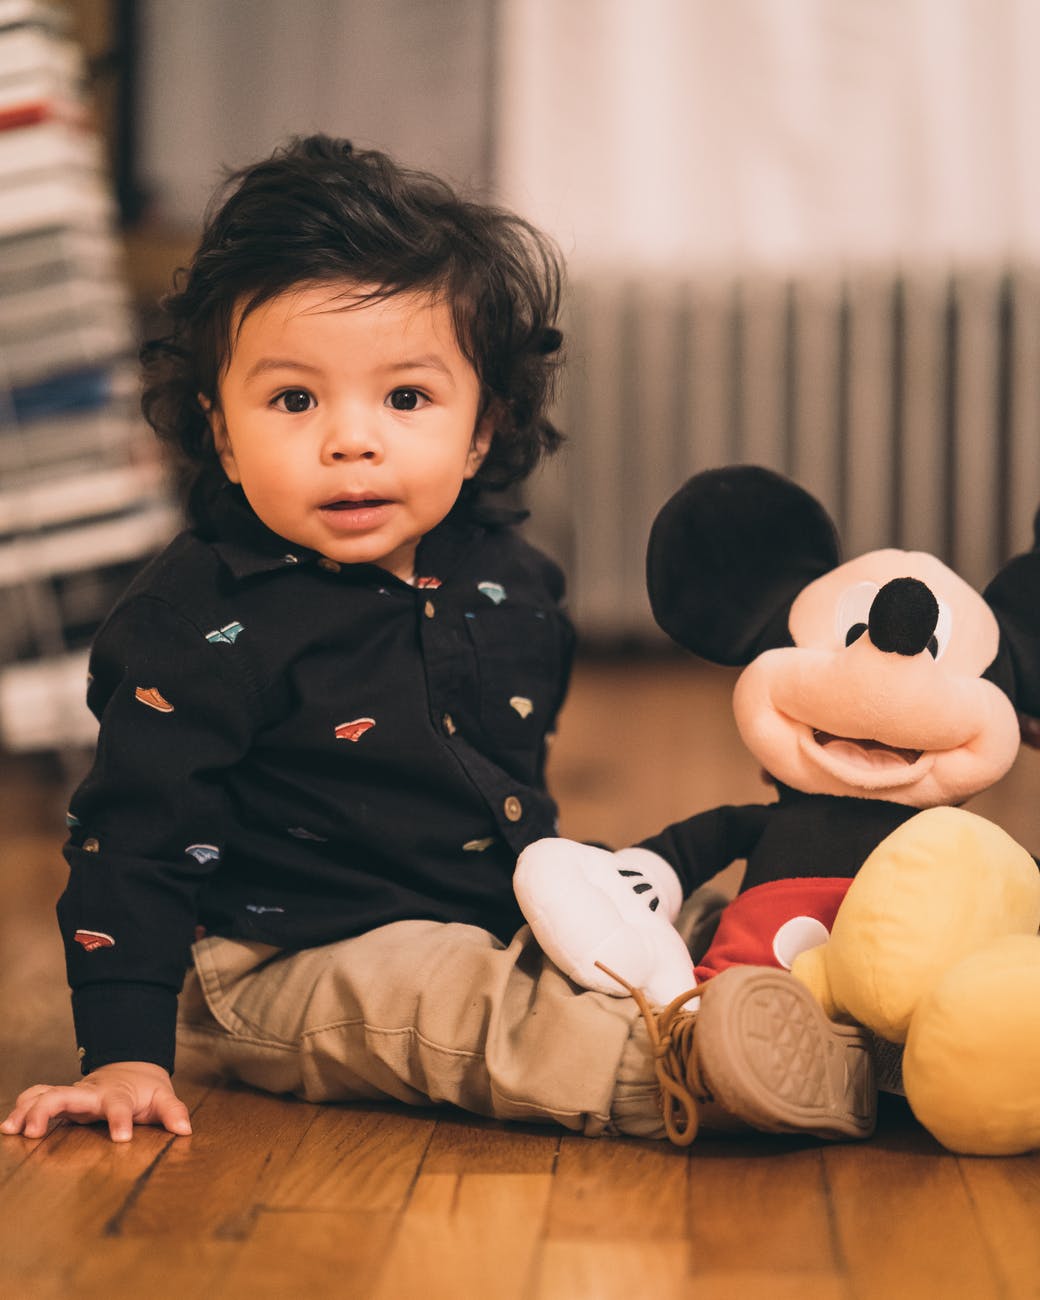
point(149, 827)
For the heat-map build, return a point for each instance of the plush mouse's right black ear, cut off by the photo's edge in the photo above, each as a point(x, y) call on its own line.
point(1015, 597)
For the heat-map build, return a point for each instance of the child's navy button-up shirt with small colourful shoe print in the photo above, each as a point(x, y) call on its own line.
point(297, 752)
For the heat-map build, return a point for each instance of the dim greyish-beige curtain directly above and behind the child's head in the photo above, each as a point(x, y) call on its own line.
point(223, 83)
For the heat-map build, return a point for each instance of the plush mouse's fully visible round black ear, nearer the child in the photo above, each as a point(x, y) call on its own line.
point(727, 557)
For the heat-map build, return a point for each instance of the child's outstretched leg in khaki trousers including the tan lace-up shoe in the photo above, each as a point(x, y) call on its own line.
point(423, 1012)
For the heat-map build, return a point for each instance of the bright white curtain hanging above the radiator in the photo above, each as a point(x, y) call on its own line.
point(777, 133)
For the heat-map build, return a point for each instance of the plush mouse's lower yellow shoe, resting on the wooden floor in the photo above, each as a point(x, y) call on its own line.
point(972, 1065)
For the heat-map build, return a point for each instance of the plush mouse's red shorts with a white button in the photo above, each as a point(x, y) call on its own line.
point(770, 925)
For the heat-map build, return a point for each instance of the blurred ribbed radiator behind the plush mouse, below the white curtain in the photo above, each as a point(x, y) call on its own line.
point(909, 405)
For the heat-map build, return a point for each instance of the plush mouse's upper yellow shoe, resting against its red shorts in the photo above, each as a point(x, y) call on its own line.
point(937, 890)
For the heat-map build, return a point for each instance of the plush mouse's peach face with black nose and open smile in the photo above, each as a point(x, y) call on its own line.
point(882, 695)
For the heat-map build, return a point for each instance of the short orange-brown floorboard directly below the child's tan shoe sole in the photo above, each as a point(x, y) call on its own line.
point(616, 1190)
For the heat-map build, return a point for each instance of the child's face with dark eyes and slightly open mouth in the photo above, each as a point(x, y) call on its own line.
point(350, 428)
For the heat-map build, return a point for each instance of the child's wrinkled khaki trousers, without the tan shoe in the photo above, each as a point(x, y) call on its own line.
point(419, 1012)
